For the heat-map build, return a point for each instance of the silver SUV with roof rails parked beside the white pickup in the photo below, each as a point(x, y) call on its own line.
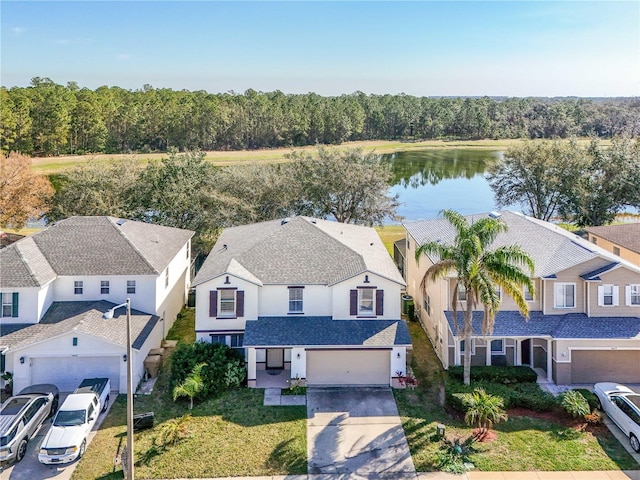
point(22, 416)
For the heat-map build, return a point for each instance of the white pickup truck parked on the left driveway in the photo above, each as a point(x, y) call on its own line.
point(67, 438)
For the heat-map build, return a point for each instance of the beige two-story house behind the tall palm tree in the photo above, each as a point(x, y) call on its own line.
point(584, 324)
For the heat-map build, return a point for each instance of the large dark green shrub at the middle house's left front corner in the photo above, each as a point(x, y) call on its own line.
point(225, 367)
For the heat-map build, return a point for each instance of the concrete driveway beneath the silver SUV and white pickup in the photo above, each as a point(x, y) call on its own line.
point(29, 468)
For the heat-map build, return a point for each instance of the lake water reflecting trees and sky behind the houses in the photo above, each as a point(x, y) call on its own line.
point(429, 181)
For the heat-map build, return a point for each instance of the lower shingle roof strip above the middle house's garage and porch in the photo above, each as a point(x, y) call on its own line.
point(324, 331)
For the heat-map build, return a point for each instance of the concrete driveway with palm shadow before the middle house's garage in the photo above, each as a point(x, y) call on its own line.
point(356, 432)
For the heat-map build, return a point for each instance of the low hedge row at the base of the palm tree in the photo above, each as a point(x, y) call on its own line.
point(525, 395)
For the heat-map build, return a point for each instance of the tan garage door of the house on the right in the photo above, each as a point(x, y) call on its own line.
point(591, 366)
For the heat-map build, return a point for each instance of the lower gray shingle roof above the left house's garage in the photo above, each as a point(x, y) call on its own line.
point(82, 317)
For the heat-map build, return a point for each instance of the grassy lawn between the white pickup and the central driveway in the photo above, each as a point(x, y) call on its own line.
point(233, 435)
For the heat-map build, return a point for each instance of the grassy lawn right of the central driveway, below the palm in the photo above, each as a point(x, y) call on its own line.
point(522, 443)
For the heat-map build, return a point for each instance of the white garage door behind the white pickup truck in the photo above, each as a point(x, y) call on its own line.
point(67, 372)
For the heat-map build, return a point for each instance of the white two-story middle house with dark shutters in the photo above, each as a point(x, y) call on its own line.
point(317, 299)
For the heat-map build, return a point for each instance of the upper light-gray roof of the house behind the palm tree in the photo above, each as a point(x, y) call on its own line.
point(552, 248)
